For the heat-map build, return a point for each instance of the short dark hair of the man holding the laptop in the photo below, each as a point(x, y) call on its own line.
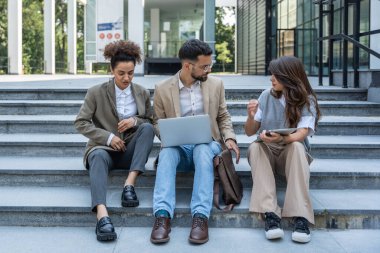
point(191, 49)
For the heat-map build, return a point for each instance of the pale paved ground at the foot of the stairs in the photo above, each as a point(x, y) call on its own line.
point(69, 239)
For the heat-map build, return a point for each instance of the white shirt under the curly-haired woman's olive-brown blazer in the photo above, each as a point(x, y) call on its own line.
point(125, 105)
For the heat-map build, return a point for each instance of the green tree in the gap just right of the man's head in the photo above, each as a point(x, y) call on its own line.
point(225, 32)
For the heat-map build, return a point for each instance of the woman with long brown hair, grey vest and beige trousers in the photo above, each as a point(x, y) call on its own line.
point(290, 103)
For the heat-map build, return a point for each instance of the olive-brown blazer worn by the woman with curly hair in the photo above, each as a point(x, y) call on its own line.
point(98, 118)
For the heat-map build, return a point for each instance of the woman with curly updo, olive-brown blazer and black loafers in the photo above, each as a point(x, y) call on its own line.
point(116, 117)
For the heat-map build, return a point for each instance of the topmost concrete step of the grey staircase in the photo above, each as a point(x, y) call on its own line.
point(232, 93)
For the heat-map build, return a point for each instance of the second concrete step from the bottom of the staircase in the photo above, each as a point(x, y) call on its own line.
point(69, 171)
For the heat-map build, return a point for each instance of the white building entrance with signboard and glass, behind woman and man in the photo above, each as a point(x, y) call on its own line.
point(159, 26)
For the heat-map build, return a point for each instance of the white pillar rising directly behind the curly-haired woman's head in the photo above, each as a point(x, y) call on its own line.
point(136, 27)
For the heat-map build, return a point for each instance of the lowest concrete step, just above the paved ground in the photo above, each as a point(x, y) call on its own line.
point(70, 206)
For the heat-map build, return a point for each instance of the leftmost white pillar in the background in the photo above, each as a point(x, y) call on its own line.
point(15, 37)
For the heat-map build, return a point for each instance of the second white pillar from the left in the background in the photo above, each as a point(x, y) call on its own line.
point(49, 36)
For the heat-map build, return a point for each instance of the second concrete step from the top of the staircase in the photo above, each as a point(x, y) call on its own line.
point(236, 108)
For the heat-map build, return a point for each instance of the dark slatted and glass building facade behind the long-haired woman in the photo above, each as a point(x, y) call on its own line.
point(267, 29)
